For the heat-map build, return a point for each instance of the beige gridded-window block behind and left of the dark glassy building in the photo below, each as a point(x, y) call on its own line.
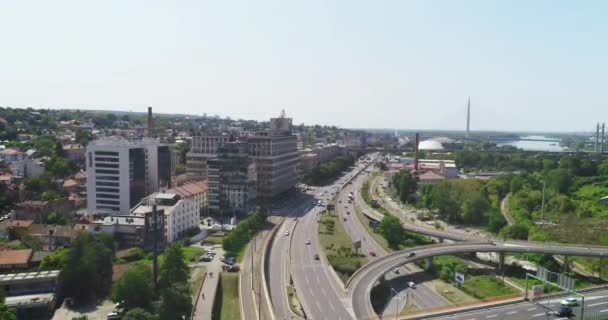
point(202, 149)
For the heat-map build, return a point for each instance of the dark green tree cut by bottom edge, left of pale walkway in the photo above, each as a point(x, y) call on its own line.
point(176, 302)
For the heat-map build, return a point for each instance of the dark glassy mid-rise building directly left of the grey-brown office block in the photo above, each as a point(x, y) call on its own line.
point(232, 180)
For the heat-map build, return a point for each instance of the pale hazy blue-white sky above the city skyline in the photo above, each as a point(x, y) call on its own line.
point(527, 65)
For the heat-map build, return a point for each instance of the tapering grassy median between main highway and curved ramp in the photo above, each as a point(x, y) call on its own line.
point(337, 246)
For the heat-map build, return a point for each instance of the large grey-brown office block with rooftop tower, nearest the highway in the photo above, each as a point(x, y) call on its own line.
point(276, 156)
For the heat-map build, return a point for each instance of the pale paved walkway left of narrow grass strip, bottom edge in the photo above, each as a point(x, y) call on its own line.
point(204, 306)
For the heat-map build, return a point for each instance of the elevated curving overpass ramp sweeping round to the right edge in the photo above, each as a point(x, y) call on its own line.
point(360, 285)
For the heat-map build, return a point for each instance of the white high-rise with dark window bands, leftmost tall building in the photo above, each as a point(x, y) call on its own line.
point(121, 172)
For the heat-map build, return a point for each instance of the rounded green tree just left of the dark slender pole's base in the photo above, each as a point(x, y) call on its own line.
point(135, 287)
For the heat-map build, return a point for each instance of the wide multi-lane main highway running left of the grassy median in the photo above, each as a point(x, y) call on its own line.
point(321, 294)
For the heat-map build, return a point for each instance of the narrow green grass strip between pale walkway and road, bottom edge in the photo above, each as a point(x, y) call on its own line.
point(229, 308)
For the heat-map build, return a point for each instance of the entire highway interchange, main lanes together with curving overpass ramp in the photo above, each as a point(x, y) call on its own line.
point(322, 294)
